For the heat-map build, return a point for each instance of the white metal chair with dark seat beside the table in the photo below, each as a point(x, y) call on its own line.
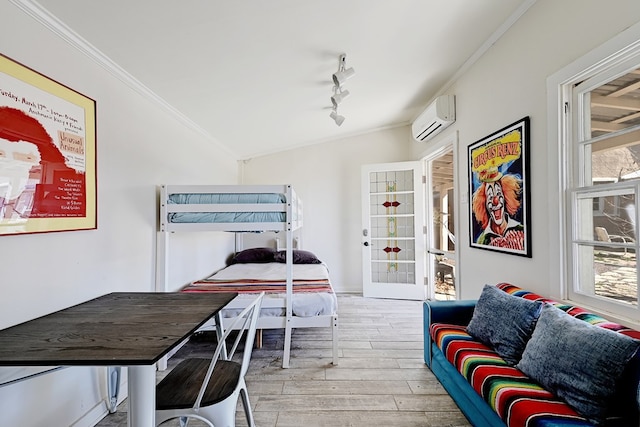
point(208, 389)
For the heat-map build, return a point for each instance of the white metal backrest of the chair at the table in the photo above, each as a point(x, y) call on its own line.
point(245, 324)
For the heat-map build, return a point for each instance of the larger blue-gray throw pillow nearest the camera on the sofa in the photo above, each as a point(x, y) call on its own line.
point(579, 362)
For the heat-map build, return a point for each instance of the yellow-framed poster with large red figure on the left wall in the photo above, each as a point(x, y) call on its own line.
point(47, 154)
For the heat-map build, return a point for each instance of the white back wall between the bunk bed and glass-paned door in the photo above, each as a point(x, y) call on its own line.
point(327, 178)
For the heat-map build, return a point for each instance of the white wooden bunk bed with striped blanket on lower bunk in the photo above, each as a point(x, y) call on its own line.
point(247, 208)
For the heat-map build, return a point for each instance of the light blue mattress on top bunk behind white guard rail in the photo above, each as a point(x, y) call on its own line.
point(226, 198)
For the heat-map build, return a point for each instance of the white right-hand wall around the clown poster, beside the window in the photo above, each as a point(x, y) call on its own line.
point(506, 84)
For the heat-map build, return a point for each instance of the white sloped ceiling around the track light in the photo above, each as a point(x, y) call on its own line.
point(255, 75)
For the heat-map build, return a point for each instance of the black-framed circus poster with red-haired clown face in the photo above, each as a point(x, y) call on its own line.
point(499, 191)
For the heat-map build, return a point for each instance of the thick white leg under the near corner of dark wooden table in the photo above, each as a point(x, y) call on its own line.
point(142, 396)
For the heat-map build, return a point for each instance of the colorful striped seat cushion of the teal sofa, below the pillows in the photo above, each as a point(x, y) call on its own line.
point(518, 400)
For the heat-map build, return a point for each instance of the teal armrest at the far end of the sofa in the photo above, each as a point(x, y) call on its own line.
point(457, 312)
